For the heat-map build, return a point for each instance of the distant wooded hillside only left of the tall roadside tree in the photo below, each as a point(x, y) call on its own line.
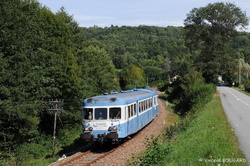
point(158, 51)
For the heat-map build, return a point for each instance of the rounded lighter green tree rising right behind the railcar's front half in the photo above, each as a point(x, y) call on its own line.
point(98, 71)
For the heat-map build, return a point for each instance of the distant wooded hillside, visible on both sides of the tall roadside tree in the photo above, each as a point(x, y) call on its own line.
point(163, 52)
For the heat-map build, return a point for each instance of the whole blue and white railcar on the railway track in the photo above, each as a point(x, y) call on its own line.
point(115, 116)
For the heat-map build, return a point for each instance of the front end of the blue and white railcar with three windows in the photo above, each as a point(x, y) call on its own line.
point(103, 124)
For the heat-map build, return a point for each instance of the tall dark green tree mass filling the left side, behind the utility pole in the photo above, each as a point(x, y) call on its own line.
point(37, 63)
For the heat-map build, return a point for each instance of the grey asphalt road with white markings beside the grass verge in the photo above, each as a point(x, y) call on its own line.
point(237, 108)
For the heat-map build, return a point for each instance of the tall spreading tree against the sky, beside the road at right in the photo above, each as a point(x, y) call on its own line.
point(212, 28)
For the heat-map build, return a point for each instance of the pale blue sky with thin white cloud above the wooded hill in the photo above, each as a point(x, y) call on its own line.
point(162, 13)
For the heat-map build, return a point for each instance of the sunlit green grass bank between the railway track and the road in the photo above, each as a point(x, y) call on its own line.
point(208, 139)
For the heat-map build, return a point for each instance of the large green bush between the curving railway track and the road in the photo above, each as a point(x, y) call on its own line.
point(191, 92)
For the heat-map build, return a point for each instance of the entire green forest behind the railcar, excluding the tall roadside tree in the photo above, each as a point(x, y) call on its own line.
point(45, 55)
